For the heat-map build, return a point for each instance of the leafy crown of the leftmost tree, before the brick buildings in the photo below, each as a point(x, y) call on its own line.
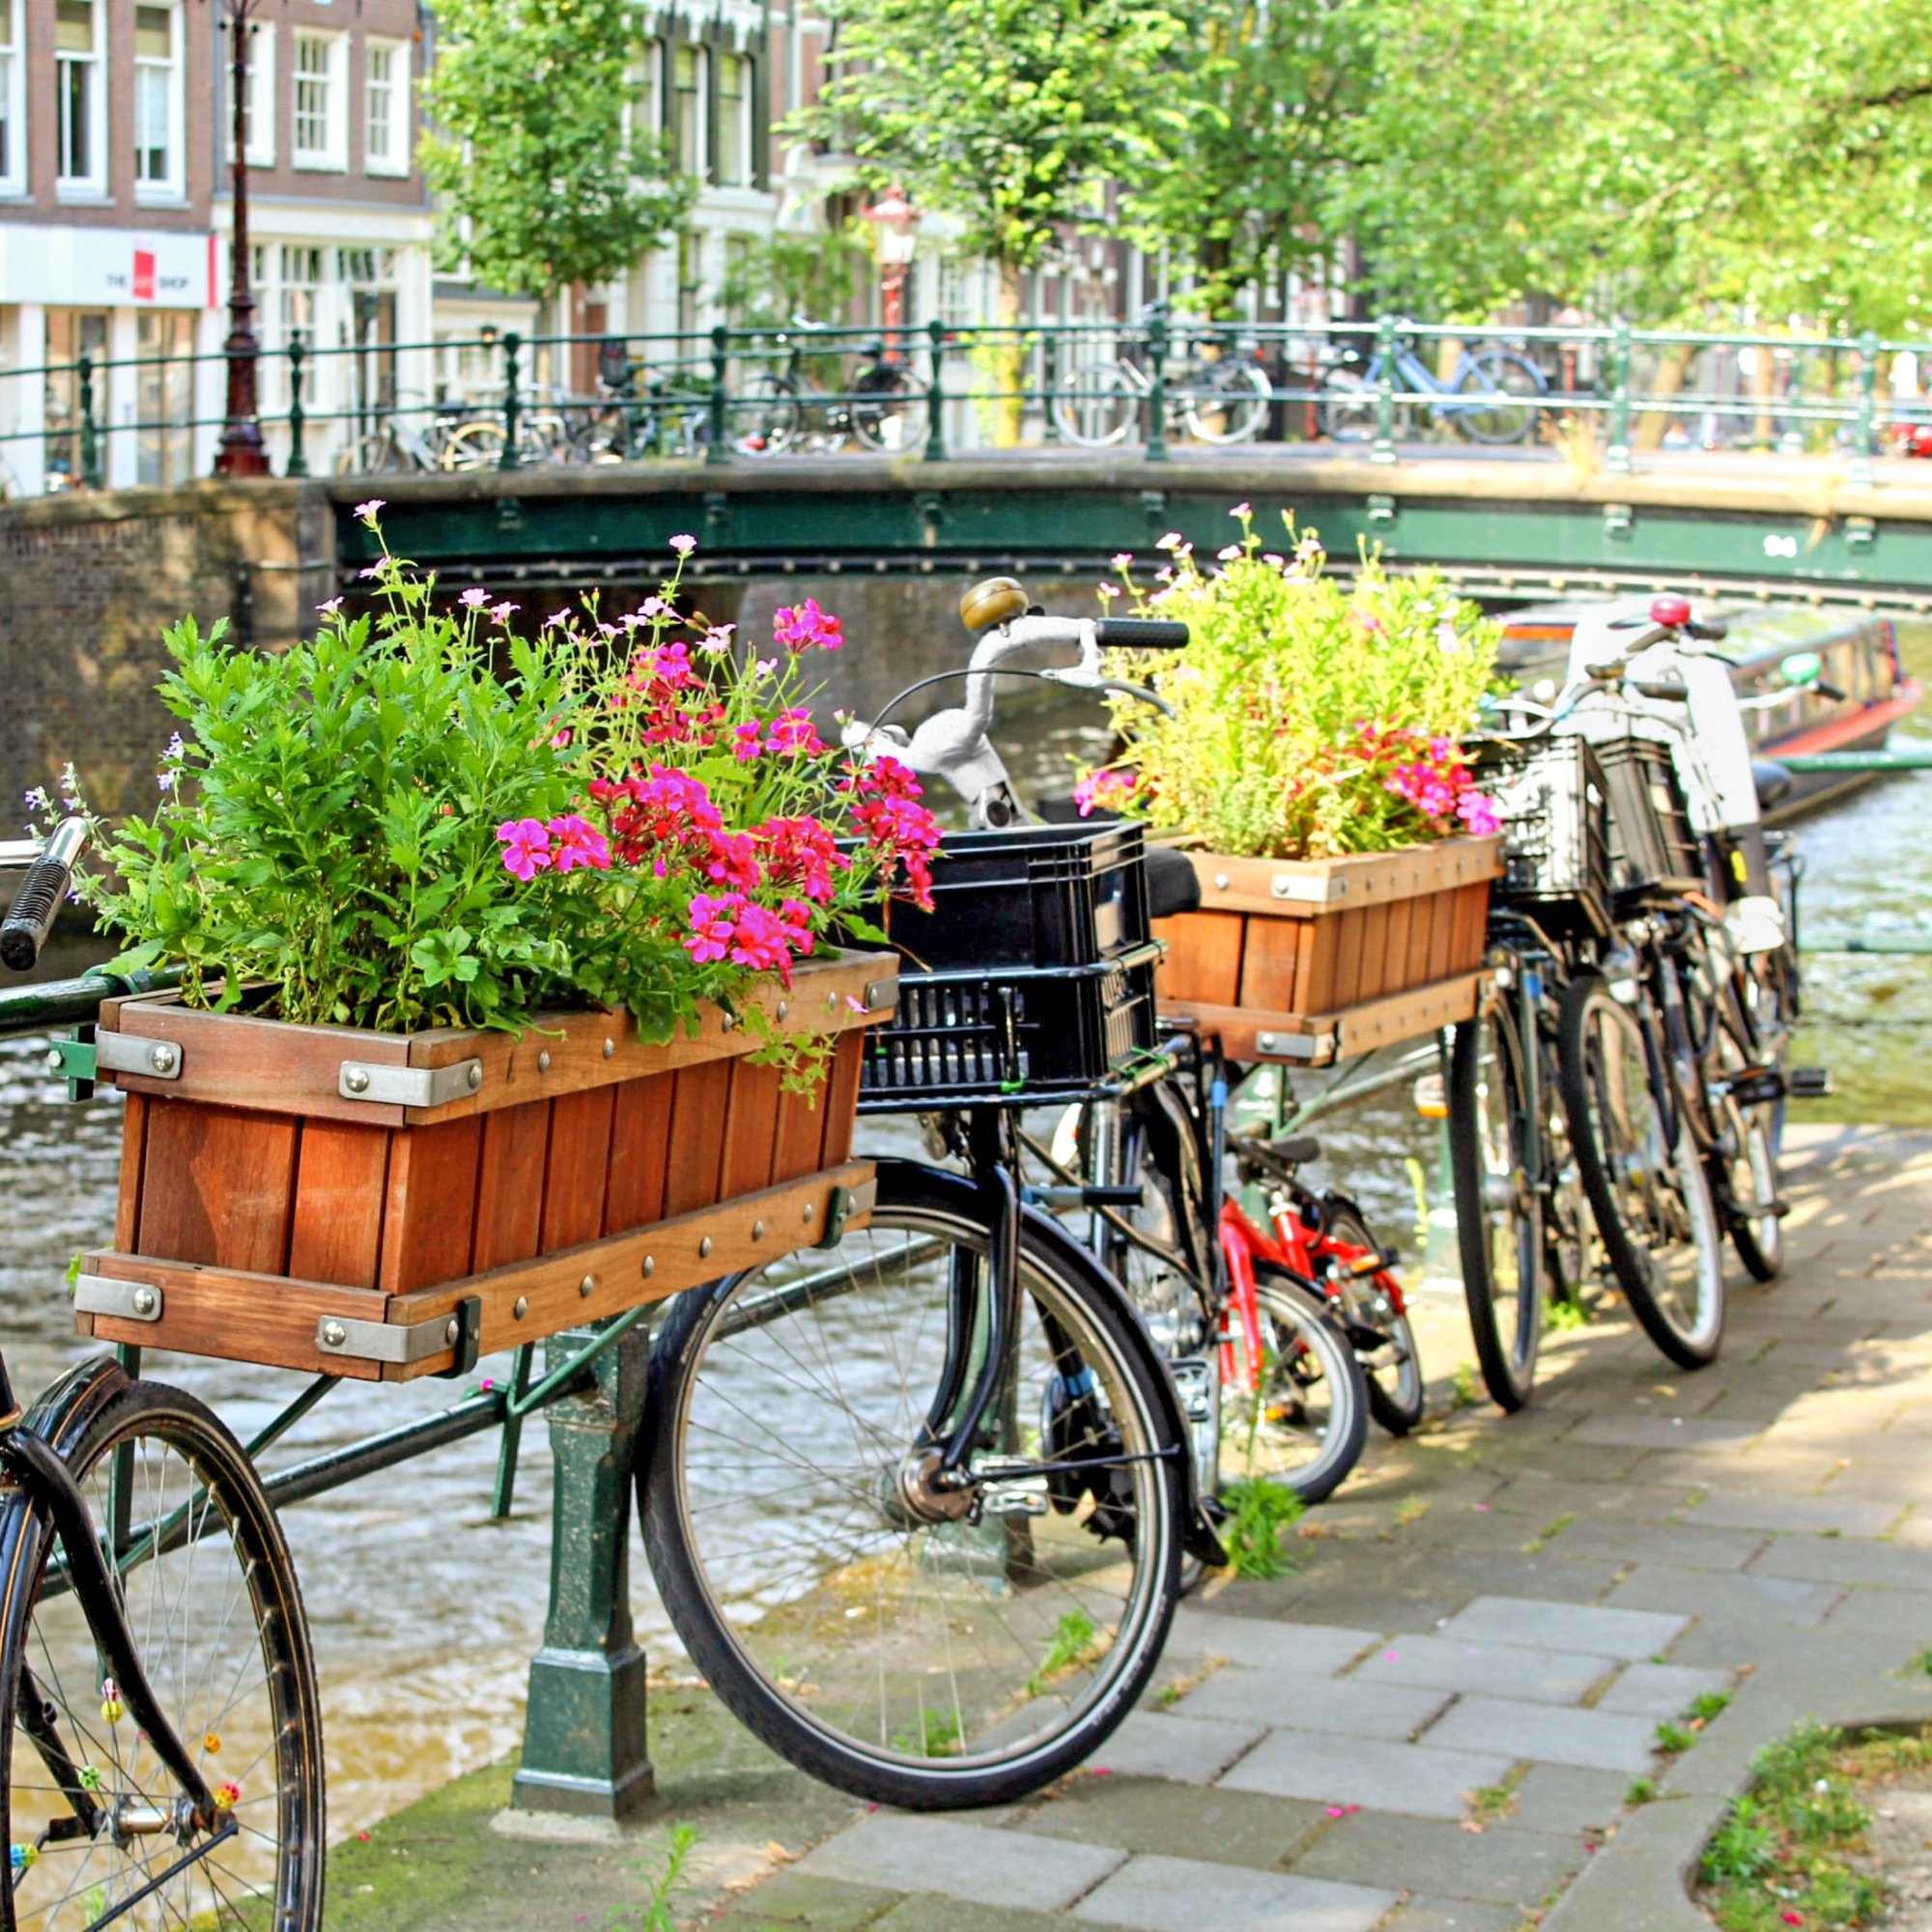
point(532, 161)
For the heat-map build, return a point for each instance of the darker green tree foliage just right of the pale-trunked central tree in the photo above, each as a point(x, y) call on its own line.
point(1249, 134)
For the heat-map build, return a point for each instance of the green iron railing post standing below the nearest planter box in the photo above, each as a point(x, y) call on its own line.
point(584, 1734)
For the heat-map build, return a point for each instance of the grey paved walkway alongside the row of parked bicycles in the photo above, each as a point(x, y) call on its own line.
point(1438, 1722)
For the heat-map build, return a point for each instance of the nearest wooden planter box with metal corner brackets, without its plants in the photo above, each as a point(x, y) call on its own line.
point(389, 1207)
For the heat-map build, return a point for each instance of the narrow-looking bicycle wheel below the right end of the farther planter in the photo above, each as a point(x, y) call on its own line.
point(1498, 1214)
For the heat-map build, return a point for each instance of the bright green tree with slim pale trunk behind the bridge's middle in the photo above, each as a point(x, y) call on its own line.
point(1008, 115)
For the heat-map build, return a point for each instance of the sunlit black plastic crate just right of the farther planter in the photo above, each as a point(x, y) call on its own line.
point(1554, 807)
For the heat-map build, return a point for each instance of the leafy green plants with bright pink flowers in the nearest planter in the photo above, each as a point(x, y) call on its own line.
point(430, 818)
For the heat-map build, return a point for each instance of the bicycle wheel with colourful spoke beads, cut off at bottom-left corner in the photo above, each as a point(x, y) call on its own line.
point(212, 1597)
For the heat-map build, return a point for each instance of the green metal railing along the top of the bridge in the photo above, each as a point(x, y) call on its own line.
point(1603, 397)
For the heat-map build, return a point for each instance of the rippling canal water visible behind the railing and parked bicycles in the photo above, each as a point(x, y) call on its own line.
point(426, 1612)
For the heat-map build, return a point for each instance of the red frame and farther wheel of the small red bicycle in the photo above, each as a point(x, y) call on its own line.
point(1322, 1239)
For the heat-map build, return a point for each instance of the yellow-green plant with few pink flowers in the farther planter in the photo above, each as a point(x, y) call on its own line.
point(1309, 720)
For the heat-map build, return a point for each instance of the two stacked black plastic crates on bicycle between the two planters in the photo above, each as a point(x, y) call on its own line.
point(1031, 979)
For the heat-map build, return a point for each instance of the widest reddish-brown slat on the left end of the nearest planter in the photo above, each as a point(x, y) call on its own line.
point(217, 1185)
